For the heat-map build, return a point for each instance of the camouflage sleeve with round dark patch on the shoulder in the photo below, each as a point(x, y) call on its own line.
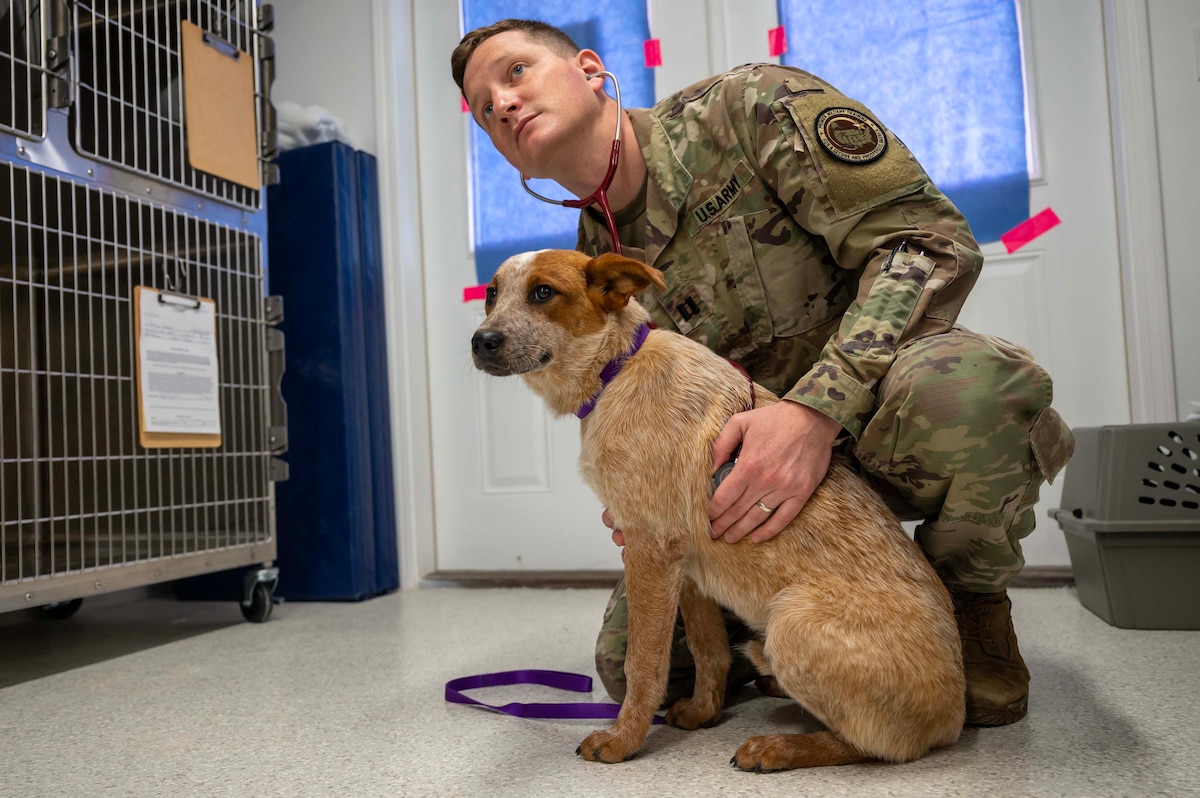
point(844, 178)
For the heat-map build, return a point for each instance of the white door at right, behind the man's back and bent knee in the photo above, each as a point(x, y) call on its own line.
point(1060, 296)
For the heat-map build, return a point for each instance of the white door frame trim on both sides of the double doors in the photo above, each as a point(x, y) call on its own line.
point(1139, 219)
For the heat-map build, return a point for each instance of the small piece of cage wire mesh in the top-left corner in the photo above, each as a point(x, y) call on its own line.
point(23, 74)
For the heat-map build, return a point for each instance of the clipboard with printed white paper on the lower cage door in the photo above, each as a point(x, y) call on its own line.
point(179, 375)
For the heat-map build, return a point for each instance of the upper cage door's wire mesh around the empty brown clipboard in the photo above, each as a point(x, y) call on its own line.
point(130, 97)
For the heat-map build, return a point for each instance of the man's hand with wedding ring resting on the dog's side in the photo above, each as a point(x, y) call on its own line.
point(785, 454)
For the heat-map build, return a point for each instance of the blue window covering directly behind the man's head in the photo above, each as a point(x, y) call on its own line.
point(507, 219)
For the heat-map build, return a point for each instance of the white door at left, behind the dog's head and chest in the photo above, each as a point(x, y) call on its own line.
point(506, 484)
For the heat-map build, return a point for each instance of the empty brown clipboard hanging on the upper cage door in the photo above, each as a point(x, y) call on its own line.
point(219, 107)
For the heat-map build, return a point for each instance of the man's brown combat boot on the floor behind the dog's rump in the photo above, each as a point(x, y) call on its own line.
point(998, 681)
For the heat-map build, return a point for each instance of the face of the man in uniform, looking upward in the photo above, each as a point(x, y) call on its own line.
point(529, 99)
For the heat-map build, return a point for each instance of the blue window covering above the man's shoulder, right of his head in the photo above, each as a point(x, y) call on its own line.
point(945, 76)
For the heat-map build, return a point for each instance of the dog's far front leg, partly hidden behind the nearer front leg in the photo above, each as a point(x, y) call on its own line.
point(710, 646)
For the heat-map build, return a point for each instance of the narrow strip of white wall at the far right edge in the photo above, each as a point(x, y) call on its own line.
point(1175, 63)
